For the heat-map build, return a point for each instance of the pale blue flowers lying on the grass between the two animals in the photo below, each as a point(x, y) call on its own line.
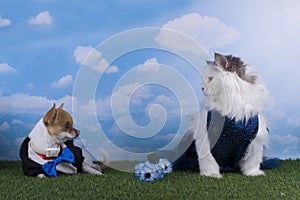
point(150, 172)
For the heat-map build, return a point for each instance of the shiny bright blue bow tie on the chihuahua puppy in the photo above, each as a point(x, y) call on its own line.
point(65, 156)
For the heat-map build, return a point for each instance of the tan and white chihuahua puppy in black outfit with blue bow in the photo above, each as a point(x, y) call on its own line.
point(51, 140)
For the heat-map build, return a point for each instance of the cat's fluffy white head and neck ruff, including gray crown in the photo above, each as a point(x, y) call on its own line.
point(233, 88)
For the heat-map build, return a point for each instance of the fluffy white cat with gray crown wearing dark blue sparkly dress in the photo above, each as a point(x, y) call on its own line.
point(230, 129)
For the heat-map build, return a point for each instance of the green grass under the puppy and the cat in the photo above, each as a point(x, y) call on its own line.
point(280, 183)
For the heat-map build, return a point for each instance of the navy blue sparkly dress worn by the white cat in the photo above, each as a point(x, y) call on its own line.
point(229, 142)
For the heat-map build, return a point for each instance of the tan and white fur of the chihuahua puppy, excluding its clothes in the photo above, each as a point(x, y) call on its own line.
point(55, 128)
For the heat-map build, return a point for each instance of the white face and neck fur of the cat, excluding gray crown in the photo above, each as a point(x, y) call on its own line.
point(232, 96)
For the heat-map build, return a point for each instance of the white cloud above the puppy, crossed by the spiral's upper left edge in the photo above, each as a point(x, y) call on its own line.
point(90, 57)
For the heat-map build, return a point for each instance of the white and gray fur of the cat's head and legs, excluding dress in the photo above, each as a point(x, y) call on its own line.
point(233, 89)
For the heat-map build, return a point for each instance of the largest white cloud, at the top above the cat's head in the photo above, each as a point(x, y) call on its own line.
point(208, 31)
